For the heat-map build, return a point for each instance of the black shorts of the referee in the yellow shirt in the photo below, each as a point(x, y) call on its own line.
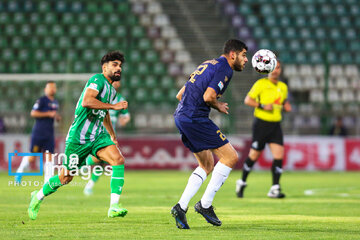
point(266, 132)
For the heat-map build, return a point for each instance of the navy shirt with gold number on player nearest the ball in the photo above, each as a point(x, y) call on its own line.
point(215, 73)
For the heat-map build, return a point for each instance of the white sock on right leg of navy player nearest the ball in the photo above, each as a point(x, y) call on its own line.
point(219, 175)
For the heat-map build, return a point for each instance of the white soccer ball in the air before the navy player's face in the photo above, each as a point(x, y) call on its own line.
point(264, 61)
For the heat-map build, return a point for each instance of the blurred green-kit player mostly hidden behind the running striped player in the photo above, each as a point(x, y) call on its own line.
point(122, 117)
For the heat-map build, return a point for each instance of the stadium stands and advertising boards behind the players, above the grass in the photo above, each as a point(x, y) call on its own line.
point(164, 41)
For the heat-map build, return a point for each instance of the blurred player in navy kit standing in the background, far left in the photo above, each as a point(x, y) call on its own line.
point(42, 137)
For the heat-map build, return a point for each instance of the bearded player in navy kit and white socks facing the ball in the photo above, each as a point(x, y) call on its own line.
point(198, 133)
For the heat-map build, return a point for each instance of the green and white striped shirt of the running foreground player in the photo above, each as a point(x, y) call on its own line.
point(88, 122)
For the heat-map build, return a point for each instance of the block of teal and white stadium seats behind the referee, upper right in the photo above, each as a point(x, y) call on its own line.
point(317, 42)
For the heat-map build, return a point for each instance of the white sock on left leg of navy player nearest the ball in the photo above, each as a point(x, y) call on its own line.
point(197, 177)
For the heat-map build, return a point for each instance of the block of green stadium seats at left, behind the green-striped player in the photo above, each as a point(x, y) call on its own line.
point(43, 36)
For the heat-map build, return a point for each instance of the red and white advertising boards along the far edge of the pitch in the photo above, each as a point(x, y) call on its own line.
point(168, 152)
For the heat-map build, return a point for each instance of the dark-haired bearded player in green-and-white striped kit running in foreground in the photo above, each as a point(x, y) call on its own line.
point(86, 136)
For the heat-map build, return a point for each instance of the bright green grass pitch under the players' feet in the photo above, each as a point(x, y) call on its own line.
point(330, 211)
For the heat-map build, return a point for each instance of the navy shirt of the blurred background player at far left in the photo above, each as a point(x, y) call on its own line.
point(44, 127)
